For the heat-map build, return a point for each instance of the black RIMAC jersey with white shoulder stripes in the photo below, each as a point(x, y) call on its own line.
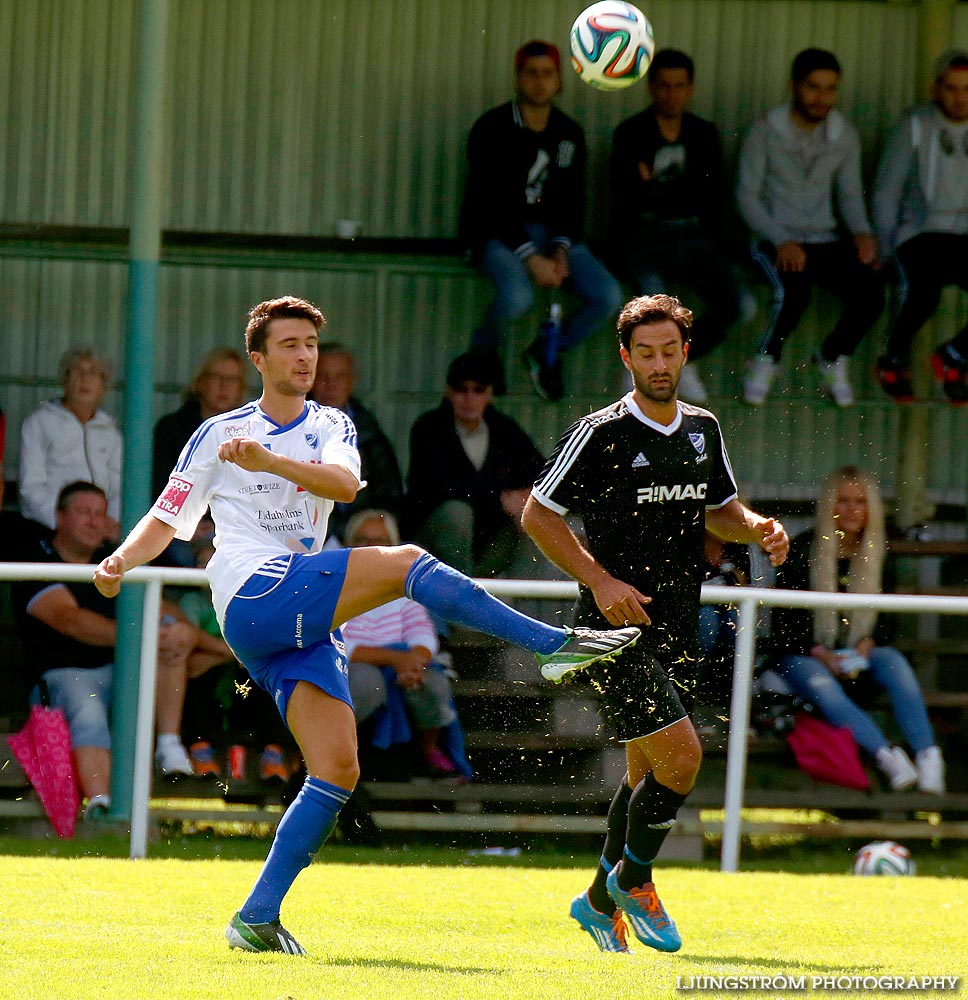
point(641, 490)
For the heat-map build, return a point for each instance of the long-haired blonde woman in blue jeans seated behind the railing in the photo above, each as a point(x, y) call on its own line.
point(833, 657)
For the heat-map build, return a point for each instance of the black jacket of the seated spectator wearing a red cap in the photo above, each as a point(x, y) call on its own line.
point(499, 198)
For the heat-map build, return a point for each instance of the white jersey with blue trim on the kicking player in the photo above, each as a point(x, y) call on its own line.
point(258, 516)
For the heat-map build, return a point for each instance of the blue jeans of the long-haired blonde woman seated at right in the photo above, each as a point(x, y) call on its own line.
point(891, 671)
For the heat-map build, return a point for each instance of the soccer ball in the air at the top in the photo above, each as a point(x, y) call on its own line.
point(611, 45)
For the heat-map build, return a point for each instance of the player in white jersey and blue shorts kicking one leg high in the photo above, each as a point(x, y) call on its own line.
point(270, 472)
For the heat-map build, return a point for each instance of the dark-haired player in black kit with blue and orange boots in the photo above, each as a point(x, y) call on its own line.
point(648, 475)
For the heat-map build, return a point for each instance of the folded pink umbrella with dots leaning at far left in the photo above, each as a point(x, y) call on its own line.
point(43, 748)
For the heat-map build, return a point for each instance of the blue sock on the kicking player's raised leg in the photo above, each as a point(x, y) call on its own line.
point(455, 597)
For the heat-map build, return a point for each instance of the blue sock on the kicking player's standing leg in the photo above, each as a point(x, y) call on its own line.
point(301, 832)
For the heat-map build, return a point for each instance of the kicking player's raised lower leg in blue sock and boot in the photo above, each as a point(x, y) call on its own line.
point(560, 652)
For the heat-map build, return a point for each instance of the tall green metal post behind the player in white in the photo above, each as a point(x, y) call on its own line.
point(145, 251)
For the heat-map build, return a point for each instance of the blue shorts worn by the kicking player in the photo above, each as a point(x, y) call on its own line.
point(278, 625)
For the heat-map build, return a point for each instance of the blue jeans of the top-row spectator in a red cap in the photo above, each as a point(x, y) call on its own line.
point(600, 293)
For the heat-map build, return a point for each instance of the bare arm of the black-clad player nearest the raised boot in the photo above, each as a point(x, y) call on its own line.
point(619, 602)
